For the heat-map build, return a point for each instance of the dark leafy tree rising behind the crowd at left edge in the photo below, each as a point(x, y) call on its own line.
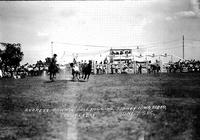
point(11, 56)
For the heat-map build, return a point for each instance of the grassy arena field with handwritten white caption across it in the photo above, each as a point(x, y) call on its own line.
point(107, 107)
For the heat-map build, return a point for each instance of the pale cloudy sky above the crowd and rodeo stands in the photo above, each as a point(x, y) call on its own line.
point(88, 29)
